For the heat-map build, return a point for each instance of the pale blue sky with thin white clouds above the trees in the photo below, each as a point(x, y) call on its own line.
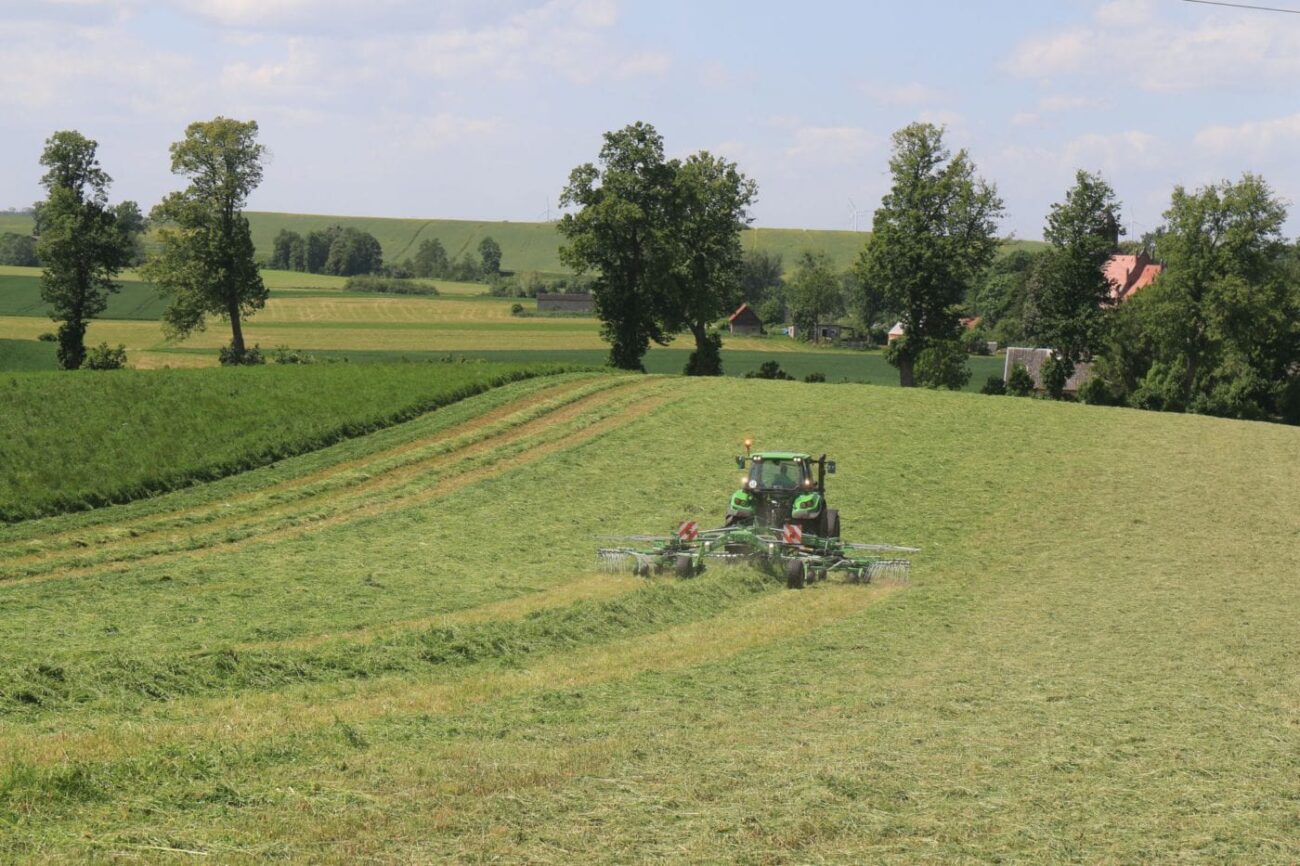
point(479, 110)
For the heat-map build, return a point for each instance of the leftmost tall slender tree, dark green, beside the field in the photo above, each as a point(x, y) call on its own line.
point(81, 243)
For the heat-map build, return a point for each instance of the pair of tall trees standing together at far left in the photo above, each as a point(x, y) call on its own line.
point(206, 265)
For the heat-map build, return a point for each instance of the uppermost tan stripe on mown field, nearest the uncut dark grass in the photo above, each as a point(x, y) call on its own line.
point(331, 469)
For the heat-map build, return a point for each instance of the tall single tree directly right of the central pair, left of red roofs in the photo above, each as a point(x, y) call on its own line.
point(933, 235)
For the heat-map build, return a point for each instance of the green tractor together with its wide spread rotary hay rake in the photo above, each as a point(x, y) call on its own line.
point(779, 521)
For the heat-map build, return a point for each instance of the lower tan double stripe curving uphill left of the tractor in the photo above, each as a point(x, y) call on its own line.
point(567, 427)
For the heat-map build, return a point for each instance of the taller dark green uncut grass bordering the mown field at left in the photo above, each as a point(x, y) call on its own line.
point(86, 439)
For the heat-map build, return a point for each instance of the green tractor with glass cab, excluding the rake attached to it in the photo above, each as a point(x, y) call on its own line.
point(785, 487)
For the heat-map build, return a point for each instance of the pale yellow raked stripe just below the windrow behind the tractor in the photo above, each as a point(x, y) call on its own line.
point(306, 711)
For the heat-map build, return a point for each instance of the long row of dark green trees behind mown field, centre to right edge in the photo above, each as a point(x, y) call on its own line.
point(1217, 334)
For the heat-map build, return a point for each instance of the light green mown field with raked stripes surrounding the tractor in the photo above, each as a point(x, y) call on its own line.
point(397, 649)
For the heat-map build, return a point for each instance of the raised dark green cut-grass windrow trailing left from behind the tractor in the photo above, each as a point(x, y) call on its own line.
point(119, 683)
